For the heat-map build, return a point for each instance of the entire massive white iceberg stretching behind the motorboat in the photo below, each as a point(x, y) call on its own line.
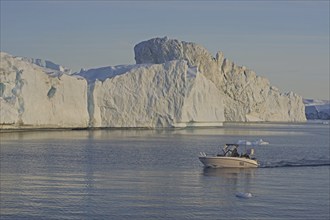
point(173, 84)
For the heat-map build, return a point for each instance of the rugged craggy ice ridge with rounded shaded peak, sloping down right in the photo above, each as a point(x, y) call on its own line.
point(246, 96)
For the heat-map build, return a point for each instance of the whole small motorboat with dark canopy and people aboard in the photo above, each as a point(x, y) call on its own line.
point(229, 158)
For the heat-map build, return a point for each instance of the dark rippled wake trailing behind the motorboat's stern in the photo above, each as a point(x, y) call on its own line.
point(298, 163)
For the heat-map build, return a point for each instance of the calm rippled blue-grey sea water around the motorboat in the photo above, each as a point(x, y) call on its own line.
point(156, 174)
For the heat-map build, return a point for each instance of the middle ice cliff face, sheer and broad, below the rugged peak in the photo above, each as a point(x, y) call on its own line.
point(159, 95)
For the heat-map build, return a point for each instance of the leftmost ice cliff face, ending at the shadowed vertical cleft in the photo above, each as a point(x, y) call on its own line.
point(32, 96)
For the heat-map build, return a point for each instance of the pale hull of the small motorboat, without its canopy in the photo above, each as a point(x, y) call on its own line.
point(222, 162)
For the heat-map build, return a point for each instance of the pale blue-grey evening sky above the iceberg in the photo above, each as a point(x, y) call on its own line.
point(284, 41)
